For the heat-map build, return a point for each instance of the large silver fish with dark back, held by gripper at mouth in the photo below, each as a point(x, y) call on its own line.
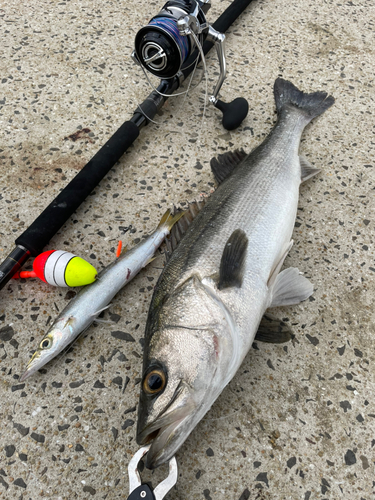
point(211, 299)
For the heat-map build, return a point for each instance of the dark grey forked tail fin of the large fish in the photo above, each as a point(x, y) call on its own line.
point(312, 105)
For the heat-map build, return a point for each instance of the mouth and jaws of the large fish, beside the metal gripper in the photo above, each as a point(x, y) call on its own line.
point(166, 433)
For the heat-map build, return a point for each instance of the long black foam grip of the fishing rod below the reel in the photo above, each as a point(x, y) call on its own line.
point(38, 234)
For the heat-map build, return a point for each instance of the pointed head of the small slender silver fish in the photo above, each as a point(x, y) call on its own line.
point(52, 343)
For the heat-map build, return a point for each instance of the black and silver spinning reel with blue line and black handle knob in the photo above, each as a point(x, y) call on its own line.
point(172, 42)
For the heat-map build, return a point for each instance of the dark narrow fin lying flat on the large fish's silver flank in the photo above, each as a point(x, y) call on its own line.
point(233, 260)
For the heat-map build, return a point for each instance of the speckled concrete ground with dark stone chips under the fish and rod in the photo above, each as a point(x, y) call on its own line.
point(298, 420)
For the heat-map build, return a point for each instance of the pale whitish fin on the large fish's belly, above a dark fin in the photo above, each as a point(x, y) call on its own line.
point(290, 288)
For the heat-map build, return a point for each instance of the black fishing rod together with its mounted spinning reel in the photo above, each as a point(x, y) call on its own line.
point(168, 47)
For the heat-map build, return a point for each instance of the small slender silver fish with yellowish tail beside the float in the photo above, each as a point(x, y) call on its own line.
point(92, 299)
